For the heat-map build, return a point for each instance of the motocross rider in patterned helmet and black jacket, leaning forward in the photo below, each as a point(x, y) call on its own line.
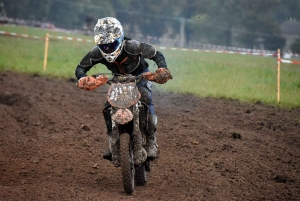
point(122, 55)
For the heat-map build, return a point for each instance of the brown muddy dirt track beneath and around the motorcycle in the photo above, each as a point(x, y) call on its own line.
point(52, 136)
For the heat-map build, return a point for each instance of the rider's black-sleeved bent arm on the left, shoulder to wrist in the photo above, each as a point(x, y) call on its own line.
point(89, 60)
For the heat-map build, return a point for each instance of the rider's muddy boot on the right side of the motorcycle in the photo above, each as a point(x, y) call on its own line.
point(151, 143)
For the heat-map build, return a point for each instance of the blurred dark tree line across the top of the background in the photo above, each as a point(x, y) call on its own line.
point(243, 23)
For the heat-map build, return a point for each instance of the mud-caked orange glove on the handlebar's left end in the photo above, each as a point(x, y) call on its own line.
point(90, 83)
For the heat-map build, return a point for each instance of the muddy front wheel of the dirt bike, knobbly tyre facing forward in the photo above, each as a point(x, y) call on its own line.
point(127, 164)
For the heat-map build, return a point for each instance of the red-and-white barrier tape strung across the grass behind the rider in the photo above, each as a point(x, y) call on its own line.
point(164, 48)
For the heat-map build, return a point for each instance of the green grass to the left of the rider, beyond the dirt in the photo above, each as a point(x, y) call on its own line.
point(27, 54)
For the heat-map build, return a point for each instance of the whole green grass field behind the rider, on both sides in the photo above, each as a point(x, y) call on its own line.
point(243, 77)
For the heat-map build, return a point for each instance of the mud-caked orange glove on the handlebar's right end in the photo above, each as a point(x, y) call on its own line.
point(160, 76)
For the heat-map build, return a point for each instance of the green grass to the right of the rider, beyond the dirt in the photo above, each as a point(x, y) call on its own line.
point(242, 77)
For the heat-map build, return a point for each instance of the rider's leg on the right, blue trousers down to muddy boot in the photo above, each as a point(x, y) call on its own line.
point(146, 97)
